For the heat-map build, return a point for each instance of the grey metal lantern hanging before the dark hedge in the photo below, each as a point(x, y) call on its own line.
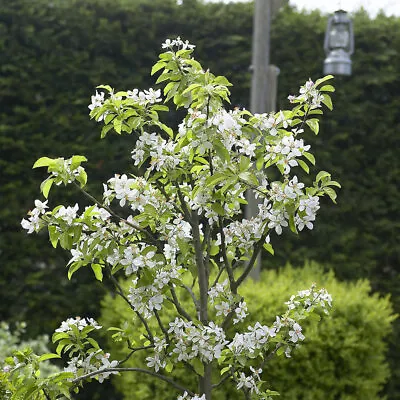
point(339, 44)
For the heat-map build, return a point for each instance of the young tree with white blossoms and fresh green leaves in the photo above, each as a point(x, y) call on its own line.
point(176, 229)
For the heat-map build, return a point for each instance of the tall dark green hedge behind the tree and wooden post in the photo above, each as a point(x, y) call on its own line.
point(55, 52)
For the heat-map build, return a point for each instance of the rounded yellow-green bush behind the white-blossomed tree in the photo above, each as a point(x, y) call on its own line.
point(343, 357)
